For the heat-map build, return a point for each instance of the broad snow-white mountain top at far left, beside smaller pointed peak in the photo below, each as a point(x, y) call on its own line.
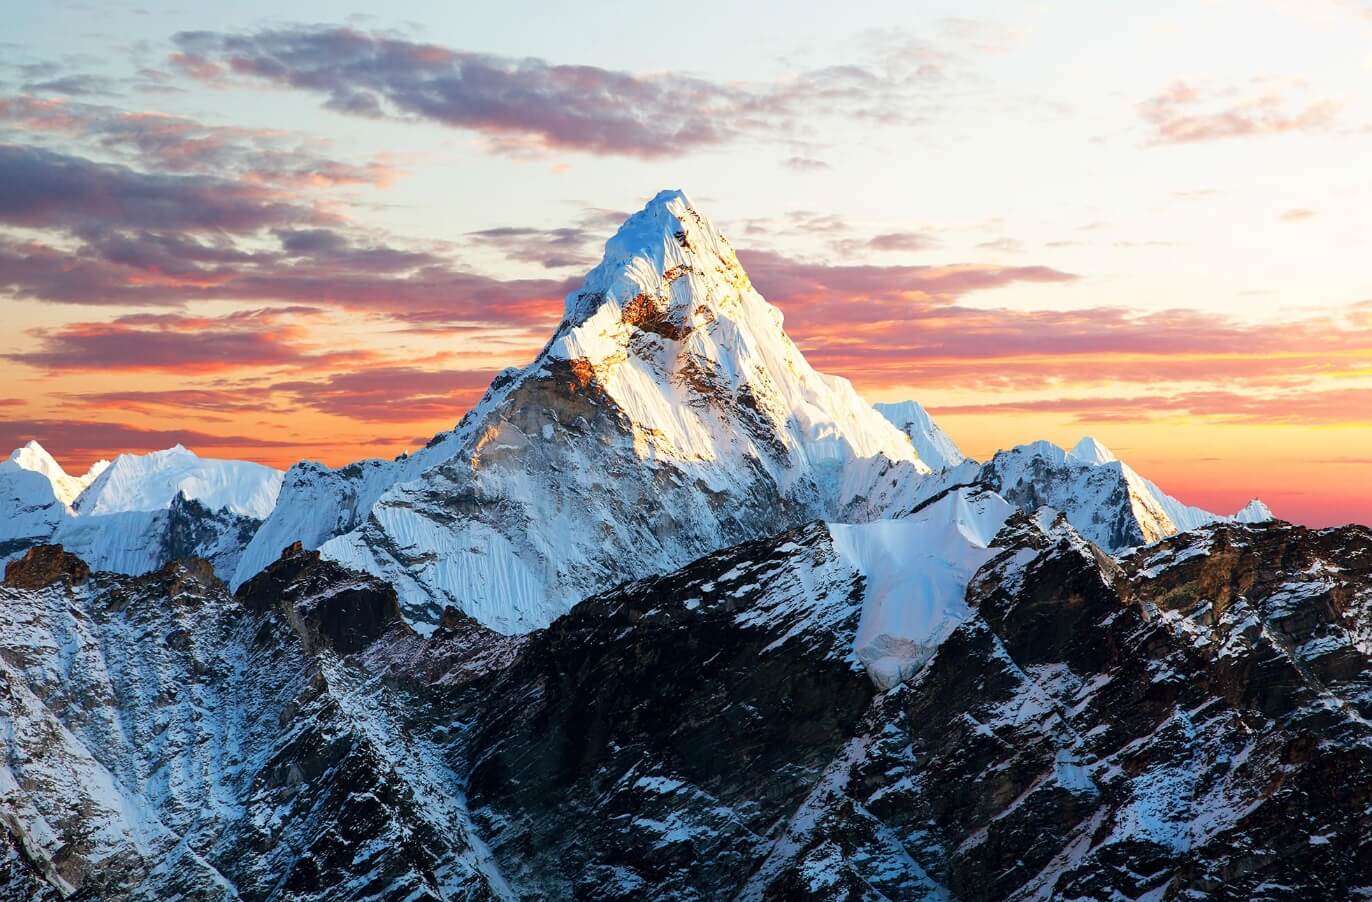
point(149, 483)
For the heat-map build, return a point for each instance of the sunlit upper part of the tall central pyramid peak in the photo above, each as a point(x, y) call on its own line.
point(672, 329)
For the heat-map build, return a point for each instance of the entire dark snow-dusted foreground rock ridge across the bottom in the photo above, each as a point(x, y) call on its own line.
point(1185, 721)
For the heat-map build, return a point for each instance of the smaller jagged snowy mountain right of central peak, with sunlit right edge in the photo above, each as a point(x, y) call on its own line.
point(1102, 498)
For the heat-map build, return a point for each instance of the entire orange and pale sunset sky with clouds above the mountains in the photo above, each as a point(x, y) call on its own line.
point(320, 237)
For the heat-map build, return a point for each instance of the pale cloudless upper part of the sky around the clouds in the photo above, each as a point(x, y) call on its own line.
point(1035, 139)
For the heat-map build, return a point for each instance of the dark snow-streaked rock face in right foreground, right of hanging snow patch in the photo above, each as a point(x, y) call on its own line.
point(1185, 727)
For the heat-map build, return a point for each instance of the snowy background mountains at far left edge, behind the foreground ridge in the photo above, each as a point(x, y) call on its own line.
point(139, 513)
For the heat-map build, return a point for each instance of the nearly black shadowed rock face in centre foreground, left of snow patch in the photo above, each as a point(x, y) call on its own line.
point(651, 742)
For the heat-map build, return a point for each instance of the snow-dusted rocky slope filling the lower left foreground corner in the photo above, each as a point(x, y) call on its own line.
point(168, 741)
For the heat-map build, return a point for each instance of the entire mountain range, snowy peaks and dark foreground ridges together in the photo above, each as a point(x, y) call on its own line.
point(672, 614)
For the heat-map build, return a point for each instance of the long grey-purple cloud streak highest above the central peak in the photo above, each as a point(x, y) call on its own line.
point(523, 104)
